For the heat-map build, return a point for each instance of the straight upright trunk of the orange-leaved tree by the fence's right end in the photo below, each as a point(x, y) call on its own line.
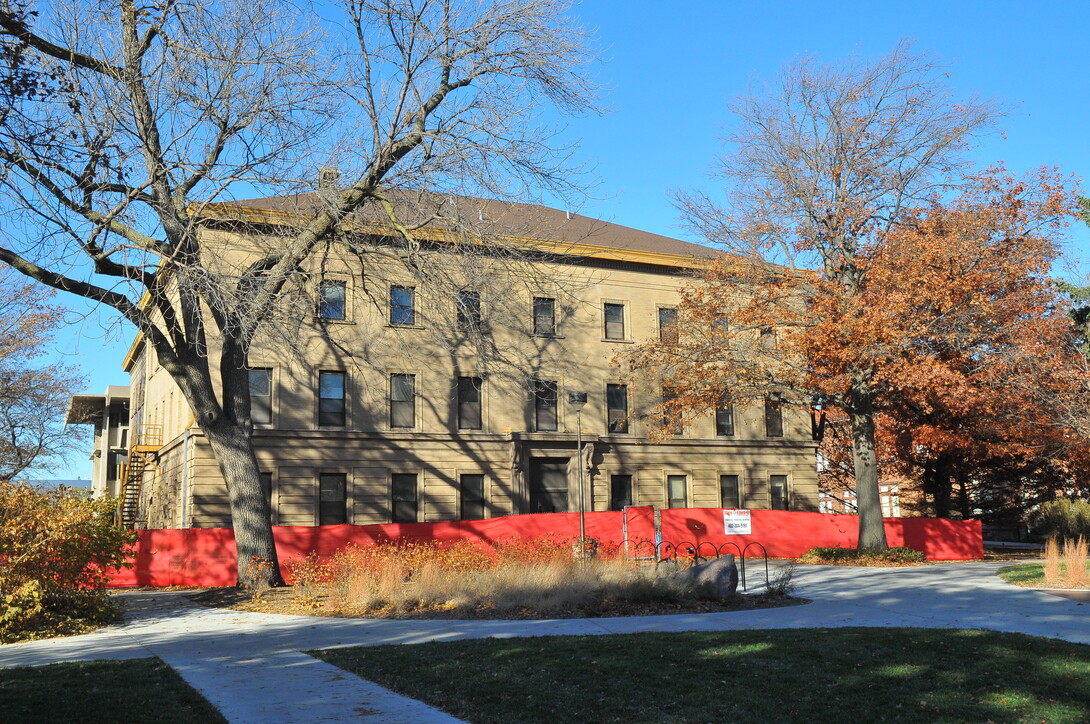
point(868, 500)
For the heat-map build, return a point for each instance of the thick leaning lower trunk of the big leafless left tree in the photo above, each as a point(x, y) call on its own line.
point(250, 510)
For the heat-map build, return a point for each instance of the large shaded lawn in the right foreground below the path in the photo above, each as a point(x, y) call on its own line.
point(815, 675)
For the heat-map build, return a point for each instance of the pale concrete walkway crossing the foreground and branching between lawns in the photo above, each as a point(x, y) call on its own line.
point(251, 667)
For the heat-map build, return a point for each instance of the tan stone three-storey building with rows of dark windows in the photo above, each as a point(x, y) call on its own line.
point(443, 394)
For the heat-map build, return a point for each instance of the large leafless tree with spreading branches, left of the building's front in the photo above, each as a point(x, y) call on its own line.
point(168, 108)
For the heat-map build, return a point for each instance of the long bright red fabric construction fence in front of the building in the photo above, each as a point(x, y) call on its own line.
point(207, 557)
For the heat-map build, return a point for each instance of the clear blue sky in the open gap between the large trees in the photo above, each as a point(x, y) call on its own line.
point(669, 70)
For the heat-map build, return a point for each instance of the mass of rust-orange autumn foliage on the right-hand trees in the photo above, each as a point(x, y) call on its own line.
point(951, 320)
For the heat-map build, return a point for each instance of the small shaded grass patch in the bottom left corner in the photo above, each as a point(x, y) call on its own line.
point(138, 691)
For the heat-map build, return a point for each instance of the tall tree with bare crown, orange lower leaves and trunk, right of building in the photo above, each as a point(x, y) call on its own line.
point(838, 243)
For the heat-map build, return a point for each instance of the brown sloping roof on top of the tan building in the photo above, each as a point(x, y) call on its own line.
point(499, 218)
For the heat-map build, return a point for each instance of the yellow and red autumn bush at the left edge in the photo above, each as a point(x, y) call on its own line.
point(58, 549)
